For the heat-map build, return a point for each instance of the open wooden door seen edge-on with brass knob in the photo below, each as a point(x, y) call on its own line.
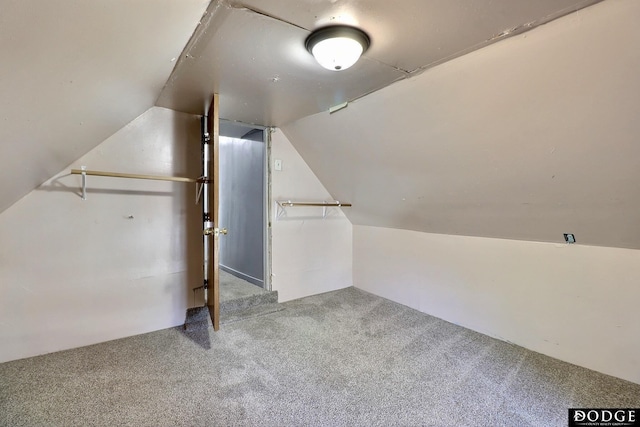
point(211, 269)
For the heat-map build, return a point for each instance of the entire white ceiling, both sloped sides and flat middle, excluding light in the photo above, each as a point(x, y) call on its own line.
point(525, 139)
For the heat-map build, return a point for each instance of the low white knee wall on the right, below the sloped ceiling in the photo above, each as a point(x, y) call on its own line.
point(572, 302)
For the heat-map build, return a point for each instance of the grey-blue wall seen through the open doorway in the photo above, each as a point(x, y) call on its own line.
point(242, 208)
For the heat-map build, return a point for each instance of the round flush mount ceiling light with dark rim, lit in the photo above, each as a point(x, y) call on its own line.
point(337, 47)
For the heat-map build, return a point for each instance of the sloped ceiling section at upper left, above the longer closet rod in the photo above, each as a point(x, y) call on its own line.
point(73, 72)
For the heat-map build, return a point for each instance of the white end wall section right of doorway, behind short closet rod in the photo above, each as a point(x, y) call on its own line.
point(310, 254)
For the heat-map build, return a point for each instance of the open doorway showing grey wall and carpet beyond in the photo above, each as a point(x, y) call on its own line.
point(243, 210)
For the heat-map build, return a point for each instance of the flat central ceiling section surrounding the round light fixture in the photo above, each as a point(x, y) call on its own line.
point(252, 52)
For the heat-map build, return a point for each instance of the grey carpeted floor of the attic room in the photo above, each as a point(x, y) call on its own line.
point(346, 358)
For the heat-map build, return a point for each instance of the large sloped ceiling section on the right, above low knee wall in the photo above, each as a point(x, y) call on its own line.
point(528, 138)
